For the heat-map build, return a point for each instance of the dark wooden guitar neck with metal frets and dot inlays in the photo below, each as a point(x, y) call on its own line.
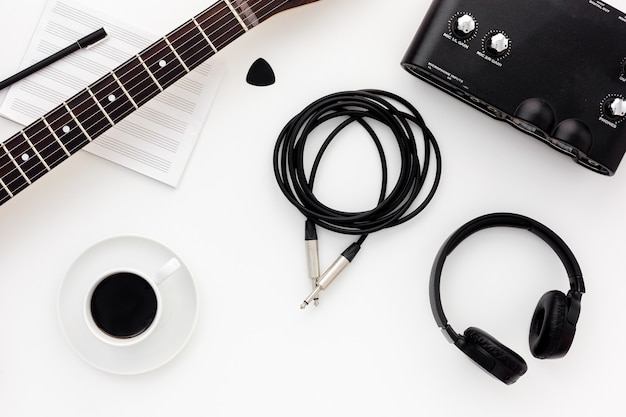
point(49, 141)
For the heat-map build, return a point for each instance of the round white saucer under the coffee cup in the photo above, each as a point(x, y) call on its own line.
point(180, 306)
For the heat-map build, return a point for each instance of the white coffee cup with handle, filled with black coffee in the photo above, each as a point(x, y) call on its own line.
point(124, 305)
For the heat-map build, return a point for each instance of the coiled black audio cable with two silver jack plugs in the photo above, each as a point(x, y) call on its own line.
point(394, 207)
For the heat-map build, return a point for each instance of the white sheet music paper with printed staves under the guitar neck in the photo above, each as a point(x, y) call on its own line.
point(158, 138)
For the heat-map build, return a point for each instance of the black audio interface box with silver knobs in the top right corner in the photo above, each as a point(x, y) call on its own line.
point(555, 69)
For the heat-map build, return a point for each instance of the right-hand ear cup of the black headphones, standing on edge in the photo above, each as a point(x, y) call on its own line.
point(551, 335)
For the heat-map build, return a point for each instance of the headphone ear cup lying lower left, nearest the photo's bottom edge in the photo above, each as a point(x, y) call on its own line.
point(493, 356)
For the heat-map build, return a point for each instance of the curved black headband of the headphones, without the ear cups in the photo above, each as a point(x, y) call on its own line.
point(564, 253)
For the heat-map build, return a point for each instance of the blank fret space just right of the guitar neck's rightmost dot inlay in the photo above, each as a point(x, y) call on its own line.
point(190, 45)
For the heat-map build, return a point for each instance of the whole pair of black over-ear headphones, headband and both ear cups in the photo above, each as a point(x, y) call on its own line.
point(553, 324)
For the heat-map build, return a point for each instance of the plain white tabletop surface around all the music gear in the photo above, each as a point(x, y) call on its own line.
point(372, 347)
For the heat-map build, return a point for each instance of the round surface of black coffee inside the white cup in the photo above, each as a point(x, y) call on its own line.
point(123, 305)
